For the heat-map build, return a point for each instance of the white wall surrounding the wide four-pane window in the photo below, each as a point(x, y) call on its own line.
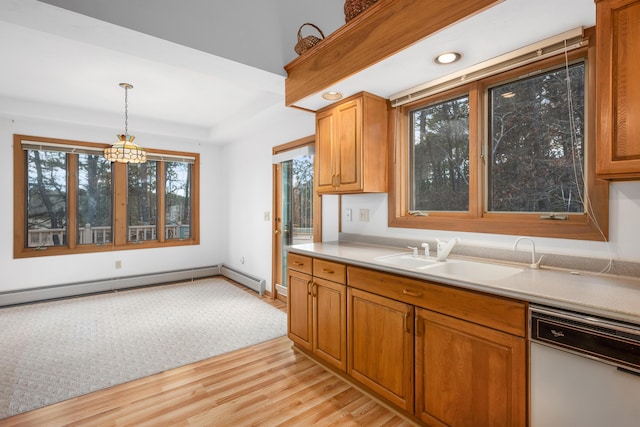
point(54, 270)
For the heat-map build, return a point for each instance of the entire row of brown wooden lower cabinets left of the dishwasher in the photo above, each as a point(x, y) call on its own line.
point(445, 355)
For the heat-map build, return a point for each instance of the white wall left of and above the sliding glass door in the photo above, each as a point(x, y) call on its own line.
point(248, 181)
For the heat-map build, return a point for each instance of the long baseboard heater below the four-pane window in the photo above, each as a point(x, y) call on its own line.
point(106, 285)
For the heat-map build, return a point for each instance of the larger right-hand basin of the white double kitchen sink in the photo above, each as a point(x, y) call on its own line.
point(470, 270)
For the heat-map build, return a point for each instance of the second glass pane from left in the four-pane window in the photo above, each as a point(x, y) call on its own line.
point(94, 200)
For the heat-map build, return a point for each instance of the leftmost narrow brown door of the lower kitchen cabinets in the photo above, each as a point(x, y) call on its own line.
point(299, 308)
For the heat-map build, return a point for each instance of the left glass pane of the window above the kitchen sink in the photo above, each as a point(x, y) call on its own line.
point(439, 156)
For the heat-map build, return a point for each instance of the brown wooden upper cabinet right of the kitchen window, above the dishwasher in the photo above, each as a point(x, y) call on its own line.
point(618, 89)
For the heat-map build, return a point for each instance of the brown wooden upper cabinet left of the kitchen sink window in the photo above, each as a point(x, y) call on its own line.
point(351, 146)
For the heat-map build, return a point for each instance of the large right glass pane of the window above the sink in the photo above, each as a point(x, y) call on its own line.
point(537, 142)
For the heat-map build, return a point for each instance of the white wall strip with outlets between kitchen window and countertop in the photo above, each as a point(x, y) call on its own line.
point(624, 227)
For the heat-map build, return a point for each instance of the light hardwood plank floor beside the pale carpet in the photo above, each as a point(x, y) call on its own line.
point(269, 384)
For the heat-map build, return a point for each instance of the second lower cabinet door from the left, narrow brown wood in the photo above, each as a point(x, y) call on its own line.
point(330, 322)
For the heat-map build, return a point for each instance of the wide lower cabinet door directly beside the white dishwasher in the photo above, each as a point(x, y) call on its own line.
point(468, 375)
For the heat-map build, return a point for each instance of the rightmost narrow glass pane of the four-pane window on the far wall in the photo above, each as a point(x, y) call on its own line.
point(177, 200)
